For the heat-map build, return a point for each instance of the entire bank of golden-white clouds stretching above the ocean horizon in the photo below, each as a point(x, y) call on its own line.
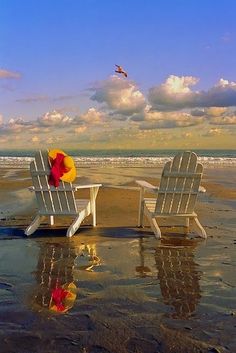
point(173, 104)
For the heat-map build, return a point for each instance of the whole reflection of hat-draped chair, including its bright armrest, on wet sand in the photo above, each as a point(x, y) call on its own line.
point(57, 264)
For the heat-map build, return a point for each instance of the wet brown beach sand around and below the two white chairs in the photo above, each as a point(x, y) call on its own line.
point(134, 293)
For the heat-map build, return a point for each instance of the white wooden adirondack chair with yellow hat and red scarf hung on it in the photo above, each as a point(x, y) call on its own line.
point(58, 201)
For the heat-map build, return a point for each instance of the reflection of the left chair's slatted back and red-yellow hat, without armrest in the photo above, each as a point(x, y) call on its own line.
point(56, 289)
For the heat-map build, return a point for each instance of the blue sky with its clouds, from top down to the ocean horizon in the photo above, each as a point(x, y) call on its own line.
point(58, 85)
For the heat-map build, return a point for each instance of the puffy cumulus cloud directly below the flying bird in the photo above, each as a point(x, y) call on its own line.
point(119, 95)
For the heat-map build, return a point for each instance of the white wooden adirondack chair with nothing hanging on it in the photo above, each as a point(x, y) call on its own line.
point(176, 196)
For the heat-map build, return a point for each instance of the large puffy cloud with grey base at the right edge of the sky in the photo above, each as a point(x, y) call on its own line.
point(175, 94)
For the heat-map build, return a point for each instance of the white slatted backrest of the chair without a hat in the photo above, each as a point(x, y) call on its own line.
point(179, 185)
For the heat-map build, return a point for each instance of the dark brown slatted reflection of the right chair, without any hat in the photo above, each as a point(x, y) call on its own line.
point(178, 276)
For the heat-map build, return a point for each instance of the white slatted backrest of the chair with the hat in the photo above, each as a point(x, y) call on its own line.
point(51, 200)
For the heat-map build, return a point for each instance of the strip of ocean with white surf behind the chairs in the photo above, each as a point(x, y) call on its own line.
point(120, 158)
